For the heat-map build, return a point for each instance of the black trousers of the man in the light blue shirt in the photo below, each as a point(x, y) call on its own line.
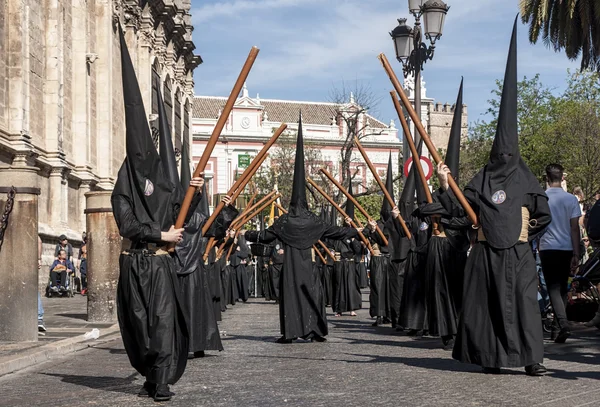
point(556, 266)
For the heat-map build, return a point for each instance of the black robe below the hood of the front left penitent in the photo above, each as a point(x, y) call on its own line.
point(149, 307)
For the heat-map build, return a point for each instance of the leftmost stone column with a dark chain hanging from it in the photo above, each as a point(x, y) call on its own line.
point(19, 255)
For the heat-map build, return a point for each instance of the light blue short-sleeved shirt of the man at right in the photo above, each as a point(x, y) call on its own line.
point(563, 207)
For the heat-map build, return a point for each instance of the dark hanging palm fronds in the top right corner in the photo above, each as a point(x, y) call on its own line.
point(572, 25)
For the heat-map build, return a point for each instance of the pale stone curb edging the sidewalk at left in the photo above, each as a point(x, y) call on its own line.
point(54, 350)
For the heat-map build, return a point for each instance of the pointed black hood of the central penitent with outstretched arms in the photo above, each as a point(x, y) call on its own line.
point(299, 228)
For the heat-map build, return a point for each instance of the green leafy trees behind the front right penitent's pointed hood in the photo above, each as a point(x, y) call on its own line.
point(561, 128)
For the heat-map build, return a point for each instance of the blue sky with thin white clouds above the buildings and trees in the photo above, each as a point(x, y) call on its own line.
point(308, 47)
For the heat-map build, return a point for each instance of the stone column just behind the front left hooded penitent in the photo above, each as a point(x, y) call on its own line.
point(104, 248)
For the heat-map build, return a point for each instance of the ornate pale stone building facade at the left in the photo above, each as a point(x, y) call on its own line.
point(61, 102)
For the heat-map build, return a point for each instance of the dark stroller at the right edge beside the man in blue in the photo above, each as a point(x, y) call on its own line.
point(584, 297)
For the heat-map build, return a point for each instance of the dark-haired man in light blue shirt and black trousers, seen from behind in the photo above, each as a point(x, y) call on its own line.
point(559, 246)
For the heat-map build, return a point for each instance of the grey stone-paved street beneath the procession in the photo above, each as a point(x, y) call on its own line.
point(358, 366)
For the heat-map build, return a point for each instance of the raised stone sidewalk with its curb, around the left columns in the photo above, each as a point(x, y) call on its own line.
point(65, 321)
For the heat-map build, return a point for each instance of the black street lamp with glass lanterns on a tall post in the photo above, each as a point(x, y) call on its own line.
point(411, 51)
